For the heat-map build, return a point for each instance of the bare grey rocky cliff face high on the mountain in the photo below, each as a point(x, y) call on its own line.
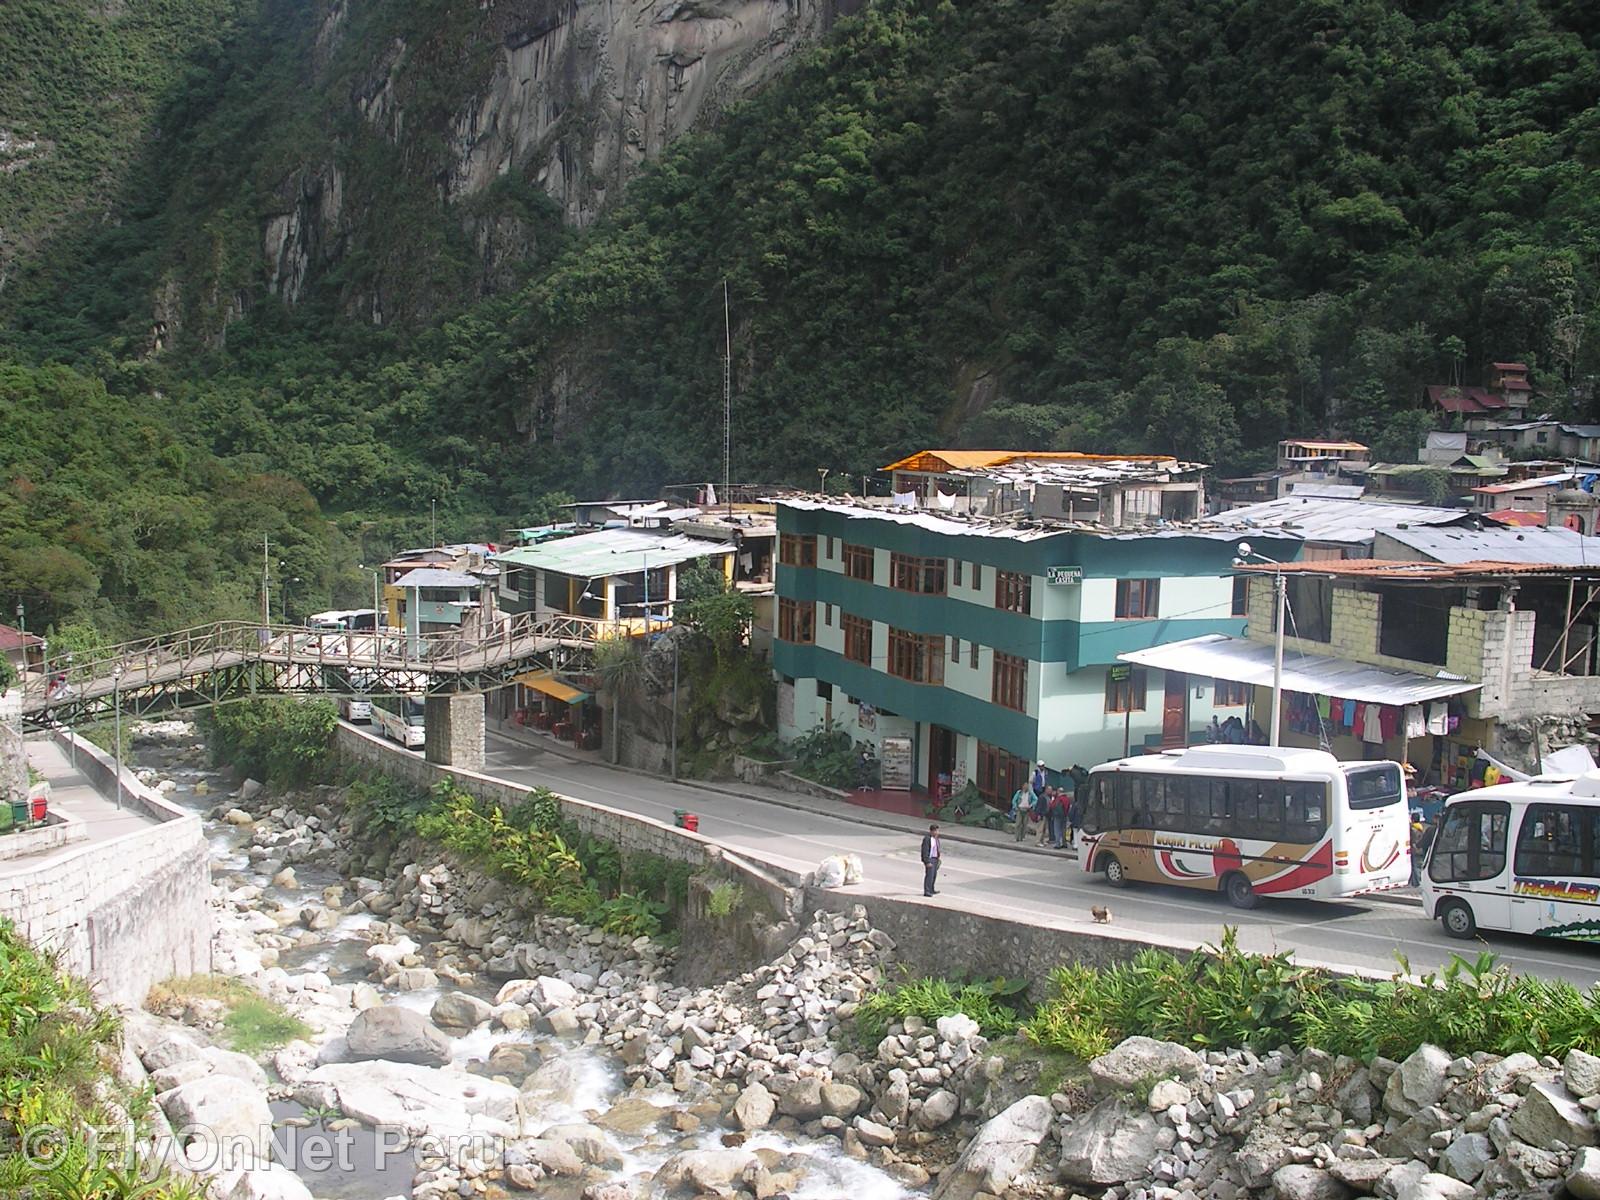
point(570, 97)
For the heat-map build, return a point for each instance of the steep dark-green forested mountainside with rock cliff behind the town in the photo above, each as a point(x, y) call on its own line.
point(361, 250)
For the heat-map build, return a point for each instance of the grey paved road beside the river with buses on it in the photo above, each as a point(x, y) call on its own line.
point(1041, 889)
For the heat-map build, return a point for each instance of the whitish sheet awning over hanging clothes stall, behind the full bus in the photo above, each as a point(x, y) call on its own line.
point(1244, 662)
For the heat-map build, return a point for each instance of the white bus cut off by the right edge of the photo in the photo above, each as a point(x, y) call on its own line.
point(1519, 857)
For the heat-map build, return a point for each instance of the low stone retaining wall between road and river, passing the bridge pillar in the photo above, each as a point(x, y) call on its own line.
point(780, 889)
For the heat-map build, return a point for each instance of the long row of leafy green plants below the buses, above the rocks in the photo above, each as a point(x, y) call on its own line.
point(1222, 996)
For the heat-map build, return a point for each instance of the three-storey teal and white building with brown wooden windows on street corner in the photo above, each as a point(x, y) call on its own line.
point(966, 649)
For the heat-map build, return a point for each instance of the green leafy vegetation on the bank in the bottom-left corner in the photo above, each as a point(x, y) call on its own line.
point(60, 1098)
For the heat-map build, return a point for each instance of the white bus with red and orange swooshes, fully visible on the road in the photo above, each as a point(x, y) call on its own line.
point(1249, 822)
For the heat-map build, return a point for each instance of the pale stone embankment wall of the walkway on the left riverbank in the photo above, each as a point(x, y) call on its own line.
point(126, 913)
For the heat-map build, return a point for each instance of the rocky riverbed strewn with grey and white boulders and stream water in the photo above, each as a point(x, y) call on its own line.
point(516, 1054)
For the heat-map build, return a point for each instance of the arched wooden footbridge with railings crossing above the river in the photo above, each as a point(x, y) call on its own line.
point(231, 660)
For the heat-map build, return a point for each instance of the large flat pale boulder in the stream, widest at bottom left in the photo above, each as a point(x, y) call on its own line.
point(420, 1100)
